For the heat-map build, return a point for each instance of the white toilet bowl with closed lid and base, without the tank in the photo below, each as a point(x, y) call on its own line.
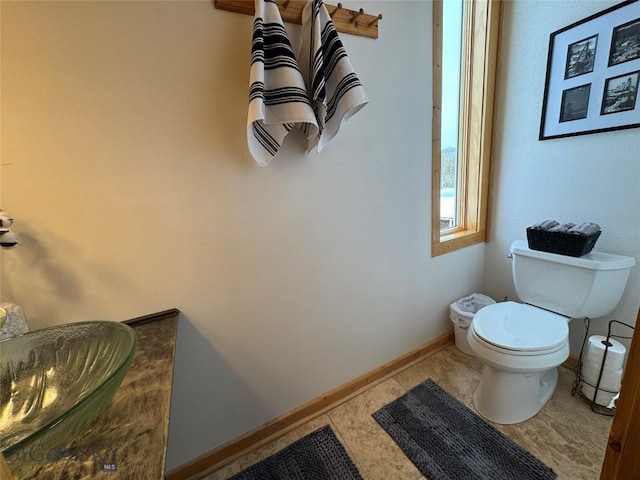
point(521, 346)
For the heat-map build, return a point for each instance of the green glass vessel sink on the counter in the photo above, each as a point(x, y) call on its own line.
point(53, 383)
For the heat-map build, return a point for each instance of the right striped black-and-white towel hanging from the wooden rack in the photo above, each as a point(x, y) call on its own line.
point(334, 88)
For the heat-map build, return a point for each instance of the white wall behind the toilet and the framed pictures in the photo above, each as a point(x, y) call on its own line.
point(586, 178)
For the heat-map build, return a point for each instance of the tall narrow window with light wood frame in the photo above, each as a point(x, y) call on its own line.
point(465, 47)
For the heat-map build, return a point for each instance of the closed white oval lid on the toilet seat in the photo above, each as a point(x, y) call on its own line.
point(516, 326)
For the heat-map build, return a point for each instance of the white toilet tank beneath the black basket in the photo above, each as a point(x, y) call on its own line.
point(588, 286)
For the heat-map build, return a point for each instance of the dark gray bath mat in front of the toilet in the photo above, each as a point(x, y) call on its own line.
point(447, 441)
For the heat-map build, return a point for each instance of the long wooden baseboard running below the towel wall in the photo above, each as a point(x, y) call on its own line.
point(237, 447)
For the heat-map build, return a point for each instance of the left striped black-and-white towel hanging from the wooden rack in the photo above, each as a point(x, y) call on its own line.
point(278, 98)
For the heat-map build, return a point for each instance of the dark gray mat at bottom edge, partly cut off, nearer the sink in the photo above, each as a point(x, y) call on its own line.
point(316, 456)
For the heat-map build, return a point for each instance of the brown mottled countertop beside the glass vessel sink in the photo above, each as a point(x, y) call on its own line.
point(129, 439)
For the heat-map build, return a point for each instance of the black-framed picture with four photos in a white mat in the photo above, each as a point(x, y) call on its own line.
point(593, 74)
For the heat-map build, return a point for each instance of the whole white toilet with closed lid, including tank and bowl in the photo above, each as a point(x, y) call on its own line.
point(522, 344)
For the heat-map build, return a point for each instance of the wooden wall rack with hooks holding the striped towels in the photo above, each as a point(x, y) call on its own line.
point(346, 21)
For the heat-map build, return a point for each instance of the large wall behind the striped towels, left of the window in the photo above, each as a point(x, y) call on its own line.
point(124, 162)
